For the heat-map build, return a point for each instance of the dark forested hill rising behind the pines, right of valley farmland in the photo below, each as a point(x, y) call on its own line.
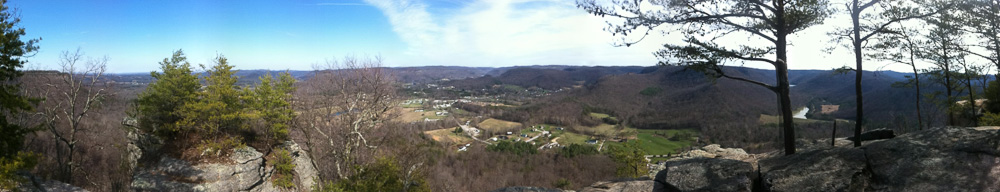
point(725, 110)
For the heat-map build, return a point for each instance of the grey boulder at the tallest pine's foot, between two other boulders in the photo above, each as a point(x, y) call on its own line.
point(838, 169)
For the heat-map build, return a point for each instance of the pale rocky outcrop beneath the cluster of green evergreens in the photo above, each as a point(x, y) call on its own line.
point(246, 170)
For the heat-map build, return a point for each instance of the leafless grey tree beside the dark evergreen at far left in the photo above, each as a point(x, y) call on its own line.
point(70, 96)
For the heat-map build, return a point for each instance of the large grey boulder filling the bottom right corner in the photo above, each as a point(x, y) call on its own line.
point(940, 159)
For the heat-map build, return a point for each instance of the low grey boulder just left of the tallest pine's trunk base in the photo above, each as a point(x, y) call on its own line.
point(706, 174)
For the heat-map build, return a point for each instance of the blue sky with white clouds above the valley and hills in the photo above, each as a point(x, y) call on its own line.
point(297, 34)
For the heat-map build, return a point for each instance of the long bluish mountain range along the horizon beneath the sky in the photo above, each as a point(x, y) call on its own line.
point(674, 96)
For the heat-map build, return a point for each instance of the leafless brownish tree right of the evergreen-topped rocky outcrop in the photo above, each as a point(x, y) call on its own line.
point(345, 104)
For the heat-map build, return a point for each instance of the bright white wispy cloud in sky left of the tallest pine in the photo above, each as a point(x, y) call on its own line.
point(503, 33)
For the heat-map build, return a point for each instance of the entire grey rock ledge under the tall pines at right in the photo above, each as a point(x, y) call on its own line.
point(940, 159)
